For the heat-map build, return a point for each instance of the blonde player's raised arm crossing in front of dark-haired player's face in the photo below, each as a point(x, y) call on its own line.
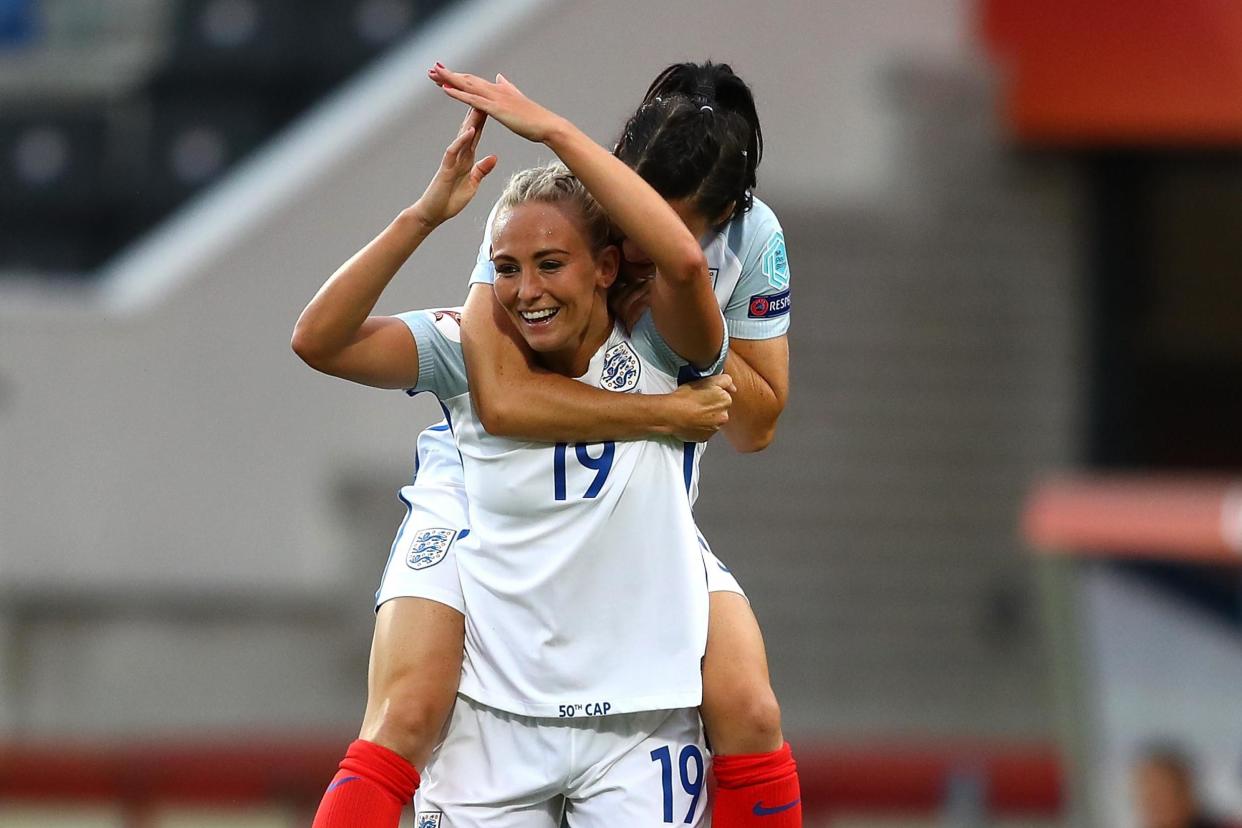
point(684, 307)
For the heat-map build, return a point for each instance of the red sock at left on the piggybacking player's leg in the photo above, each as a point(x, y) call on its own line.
point(369, 791)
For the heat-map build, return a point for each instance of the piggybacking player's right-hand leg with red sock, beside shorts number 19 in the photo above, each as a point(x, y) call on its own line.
point(756, 775)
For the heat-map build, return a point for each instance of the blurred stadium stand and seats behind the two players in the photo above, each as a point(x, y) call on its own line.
point(997, 551)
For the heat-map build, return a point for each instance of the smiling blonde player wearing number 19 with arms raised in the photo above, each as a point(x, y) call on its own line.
point(557, 537)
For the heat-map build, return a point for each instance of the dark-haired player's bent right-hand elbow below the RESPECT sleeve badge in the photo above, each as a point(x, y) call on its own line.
point(761, 372)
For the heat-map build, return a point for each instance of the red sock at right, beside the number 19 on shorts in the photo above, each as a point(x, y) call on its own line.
point(757, 791)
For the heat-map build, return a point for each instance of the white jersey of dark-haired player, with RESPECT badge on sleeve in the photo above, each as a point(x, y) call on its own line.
point(751, 279)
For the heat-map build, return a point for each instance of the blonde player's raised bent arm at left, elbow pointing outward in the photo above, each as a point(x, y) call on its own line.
point(336, 333)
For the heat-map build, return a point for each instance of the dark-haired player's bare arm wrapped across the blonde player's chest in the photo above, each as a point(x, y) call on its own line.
point(516, 398)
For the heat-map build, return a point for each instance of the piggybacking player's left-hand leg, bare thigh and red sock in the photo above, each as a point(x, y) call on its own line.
point(417, 657)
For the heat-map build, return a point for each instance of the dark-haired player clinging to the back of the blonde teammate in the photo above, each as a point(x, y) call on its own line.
point(699, 141)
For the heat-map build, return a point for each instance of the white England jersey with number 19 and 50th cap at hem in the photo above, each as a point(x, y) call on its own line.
point(582, 570)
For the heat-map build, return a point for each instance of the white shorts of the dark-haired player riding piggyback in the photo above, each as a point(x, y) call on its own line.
point(423, 562)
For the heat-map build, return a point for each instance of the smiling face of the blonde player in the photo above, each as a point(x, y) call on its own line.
point(552, 284)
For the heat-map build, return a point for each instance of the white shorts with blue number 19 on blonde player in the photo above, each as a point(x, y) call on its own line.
point(500, 770)
